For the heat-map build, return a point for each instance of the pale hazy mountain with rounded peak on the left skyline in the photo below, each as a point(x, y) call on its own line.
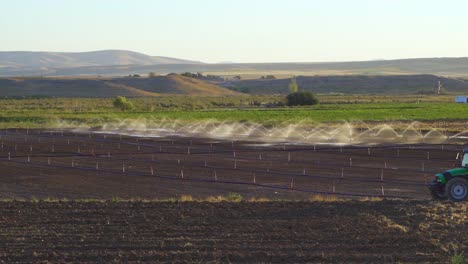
point(46, 60)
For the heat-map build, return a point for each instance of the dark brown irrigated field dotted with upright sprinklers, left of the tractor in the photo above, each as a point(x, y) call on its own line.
point(67, 164)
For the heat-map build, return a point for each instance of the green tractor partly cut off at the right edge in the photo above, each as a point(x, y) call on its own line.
point(452, 184)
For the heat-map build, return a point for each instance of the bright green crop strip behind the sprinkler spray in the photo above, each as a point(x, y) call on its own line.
point(42, 113)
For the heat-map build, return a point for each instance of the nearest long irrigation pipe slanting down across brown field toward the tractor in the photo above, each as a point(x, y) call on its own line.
point(211, 181)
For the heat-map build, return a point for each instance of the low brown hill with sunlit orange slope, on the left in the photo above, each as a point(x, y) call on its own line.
point(108, 87)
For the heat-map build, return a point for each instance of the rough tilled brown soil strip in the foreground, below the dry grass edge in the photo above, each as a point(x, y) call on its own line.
point(389, 231)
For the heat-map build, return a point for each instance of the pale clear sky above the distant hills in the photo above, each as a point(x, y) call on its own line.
point(241, 30)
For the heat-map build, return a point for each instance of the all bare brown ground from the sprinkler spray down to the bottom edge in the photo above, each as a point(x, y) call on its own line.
point(69, 196)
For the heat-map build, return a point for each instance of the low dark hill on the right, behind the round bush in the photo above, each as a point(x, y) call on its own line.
point(397, 84)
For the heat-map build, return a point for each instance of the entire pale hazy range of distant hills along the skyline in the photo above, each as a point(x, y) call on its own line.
point(122, 63)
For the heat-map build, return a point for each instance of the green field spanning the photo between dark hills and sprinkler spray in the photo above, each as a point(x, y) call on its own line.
point(94, 112)
